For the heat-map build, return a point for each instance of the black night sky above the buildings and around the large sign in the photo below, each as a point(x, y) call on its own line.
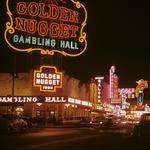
point(118, 33)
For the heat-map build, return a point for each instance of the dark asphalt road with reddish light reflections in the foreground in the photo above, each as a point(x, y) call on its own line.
point(71, 139)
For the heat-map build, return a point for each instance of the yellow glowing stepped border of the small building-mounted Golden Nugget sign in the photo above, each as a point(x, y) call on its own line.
point(40, 71)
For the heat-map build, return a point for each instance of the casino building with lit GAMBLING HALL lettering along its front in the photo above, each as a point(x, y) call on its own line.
point(73, 99)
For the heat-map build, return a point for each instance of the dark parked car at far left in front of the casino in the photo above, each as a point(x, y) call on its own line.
point(12, 123)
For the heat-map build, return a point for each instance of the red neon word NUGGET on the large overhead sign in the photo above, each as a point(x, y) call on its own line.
point(44, 28)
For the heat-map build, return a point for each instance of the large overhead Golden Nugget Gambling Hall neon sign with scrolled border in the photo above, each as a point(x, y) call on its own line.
point(47, 26)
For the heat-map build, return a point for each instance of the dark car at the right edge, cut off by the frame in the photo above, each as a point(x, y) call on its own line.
point(142, 129)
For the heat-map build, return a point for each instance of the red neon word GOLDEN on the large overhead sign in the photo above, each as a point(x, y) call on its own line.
point(48, 11)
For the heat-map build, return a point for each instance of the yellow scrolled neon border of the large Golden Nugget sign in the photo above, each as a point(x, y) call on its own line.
point(81, 39)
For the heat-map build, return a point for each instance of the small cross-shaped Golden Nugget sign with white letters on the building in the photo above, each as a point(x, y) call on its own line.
point(47, 79)
